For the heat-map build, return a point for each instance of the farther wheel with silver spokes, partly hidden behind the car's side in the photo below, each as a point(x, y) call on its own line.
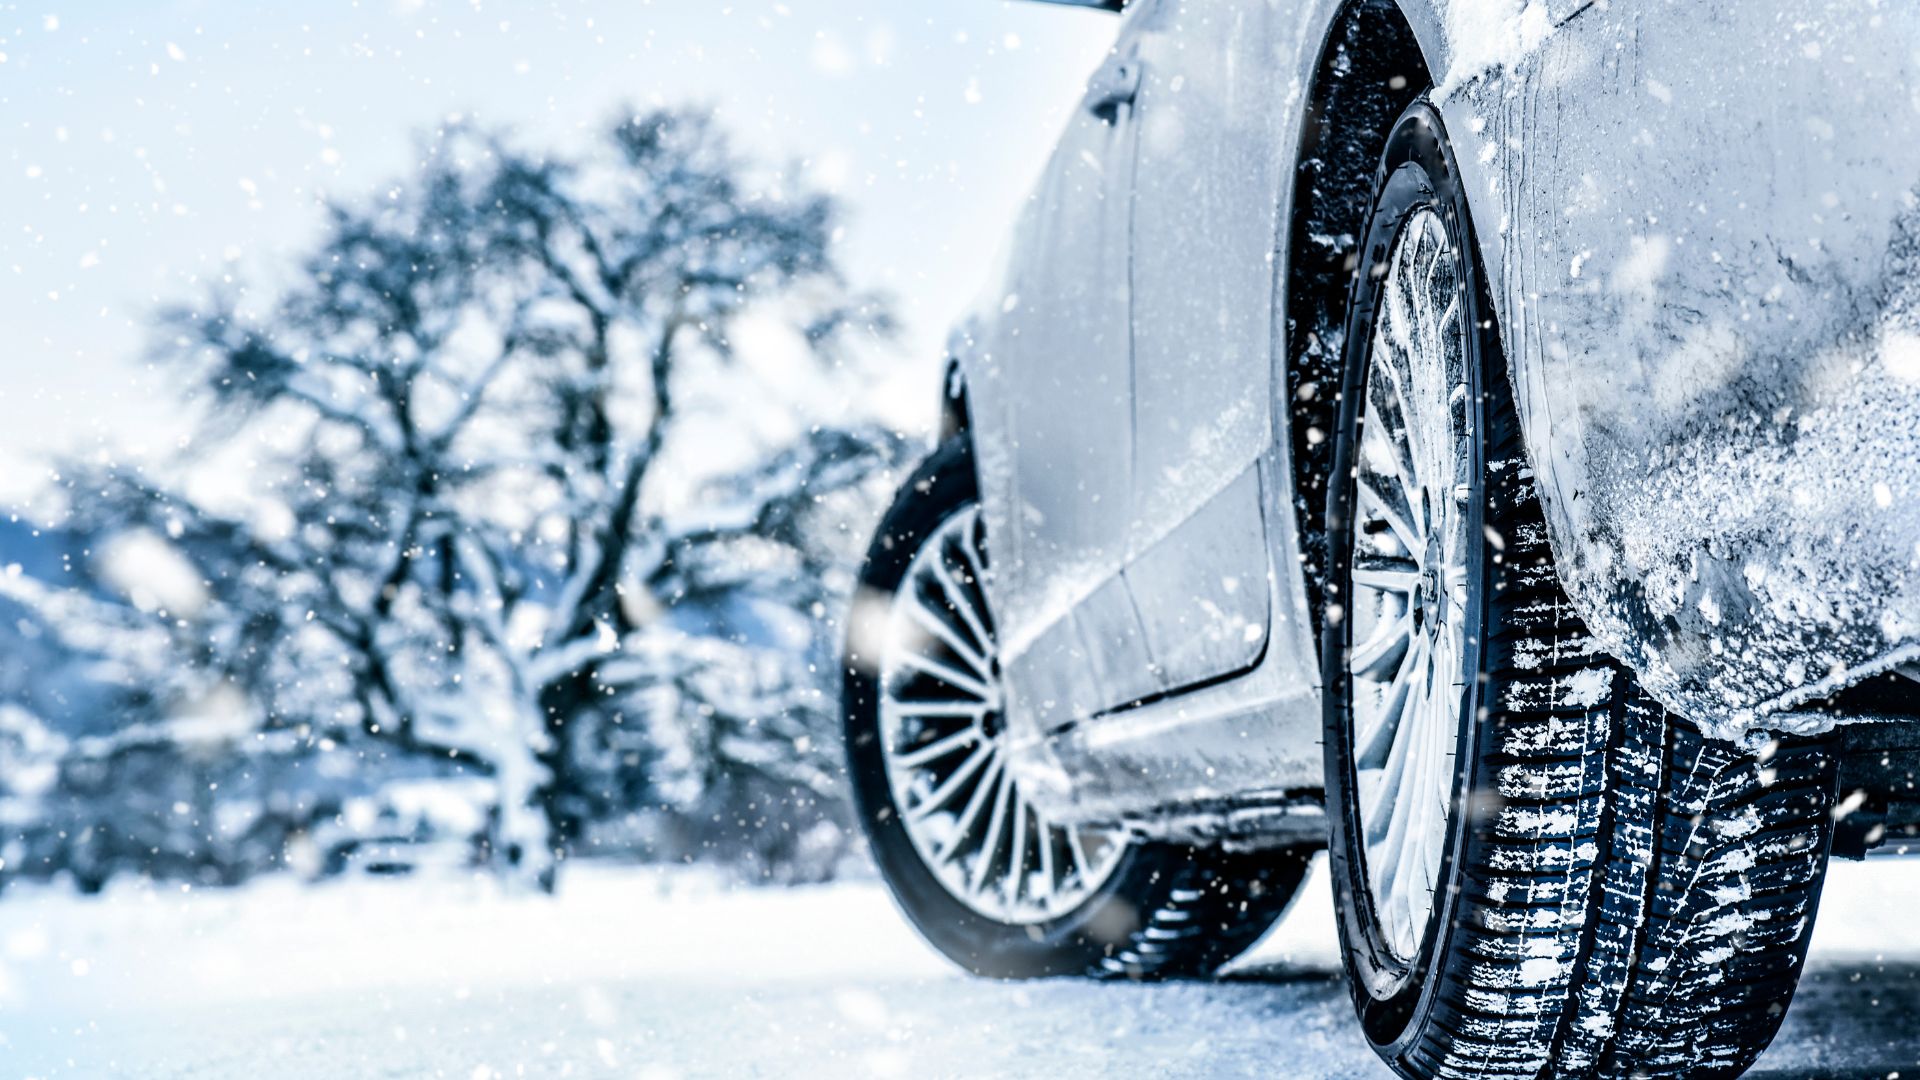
point(978, 871)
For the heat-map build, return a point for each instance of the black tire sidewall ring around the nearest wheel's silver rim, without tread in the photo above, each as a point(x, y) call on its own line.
point(1393, 998)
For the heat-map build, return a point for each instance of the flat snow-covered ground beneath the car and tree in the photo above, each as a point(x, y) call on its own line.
point(646, 975)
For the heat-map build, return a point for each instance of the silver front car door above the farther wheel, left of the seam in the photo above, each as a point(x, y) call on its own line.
point(1053, 412)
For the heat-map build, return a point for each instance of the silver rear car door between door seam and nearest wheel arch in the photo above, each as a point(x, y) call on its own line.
point(1203, 333)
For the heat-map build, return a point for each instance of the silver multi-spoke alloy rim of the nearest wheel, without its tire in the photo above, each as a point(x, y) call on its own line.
point(1414, 570)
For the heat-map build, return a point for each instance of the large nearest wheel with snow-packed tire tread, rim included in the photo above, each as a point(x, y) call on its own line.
point(1539, 871)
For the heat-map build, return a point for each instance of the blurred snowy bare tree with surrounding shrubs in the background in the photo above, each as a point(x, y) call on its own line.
point(535, 524)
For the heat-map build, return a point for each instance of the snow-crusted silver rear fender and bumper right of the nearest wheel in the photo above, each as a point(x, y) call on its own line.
point(1704, 235)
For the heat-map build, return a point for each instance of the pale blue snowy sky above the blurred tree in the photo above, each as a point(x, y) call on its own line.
point(153, 143)
